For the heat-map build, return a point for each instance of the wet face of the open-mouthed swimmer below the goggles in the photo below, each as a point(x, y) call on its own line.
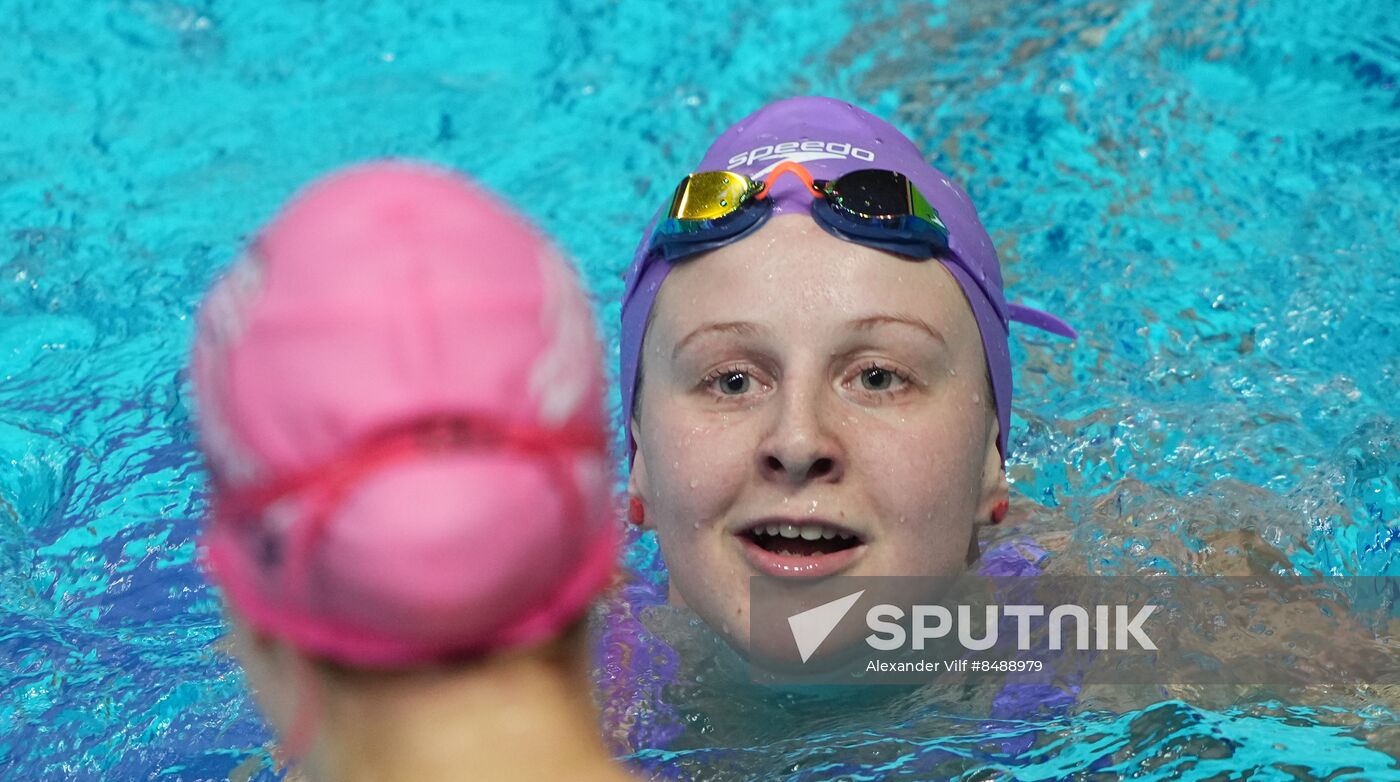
point(801, 385)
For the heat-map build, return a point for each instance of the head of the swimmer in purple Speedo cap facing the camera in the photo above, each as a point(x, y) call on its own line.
point(815, 363)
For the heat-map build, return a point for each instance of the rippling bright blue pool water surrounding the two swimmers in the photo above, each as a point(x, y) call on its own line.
point(1205, 190)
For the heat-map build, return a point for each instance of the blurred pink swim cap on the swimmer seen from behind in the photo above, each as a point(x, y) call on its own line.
point(401, 406)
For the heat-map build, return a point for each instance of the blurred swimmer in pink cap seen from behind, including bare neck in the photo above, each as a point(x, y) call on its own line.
point(401, 411)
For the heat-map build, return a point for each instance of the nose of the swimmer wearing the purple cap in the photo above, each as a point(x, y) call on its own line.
point(800, 448)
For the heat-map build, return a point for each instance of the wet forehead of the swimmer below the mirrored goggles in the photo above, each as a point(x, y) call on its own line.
point(794, 276)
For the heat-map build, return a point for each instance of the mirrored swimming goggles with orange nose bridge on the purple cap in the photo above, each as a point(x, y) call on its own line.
point(873, 206)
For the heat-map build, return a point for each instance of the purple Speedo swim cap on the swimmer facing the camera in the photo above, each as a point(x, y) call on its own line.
point(834, 138)
